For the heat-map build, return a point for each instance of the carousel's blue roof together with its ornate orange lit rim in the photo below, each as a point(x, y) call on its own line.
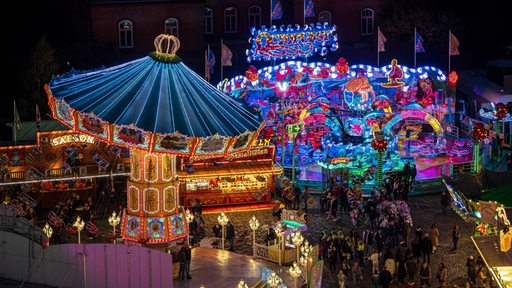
point(155, 103)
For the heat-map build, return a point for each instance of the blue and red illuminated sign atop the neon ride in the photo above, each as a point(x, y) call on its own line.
point(289, 43)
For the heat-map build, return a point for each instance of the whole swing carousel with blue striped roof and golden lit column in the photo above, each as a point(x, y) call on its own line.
point(164, 113)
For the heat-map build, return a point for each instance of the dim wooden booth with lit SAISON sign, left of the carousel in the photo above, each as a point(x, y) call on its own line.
point(61, 162)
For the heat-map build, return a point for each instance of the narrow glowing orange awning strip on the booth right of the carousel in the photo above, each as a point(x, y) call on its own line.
point(274, 169)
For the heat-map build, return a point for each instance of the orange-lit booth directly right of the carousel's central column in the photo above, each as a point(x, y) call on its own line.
point(243, 178)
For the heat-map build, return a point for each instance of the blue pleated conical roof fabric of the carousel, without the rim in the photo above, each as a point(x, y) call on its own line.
point(156, 96)
